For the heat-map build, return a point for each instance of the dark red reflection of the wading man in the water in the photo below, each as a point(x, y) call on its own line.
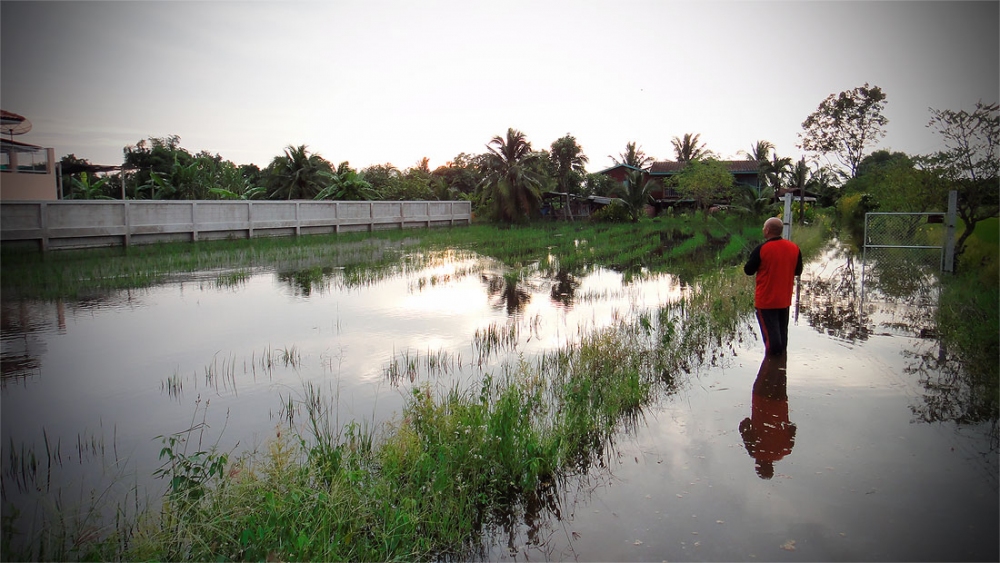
point(767, 434)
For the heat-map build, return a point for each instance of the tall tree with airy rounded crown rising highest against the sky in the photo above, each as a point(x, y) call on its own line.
point(846, 124)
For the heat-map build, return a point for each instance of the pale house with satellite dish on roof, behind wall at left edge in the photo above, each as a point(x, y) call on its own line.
point(26, 171)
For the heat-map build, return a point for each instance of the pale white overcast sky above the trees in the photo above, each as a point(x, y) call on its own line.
point(374, 81)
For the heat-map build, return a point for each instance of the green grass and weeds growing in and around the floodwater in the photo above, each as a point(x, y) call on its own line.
point(456, 462)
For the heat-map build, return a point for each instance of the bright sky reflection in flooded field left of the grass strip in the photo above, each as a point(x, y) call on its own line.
point(108, 367)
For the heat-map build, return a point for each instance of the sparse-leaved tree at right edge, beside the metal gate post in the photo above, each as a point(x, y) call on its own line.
point(969, 162)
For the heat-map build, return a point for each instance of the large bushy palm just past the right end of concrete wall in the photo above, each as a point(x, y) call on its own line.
point(511, 183)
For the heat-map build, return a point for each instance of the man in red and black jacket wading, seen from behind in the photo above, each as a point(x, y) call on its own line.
point(776, 262)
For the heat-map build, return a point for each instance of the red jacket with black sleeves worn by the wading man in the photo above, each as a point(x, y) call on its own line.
point(776, 262)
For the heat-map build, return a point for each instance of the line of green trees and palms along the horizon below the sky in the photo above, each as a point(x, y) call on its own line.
point(508, 180)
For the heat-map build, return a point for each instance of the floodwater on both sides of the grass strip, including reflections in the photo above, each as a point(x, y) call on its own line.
point(821, 455)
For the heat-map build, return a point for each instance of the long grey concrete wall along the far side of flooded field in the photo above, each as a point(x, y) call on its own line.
point(82, 224)
